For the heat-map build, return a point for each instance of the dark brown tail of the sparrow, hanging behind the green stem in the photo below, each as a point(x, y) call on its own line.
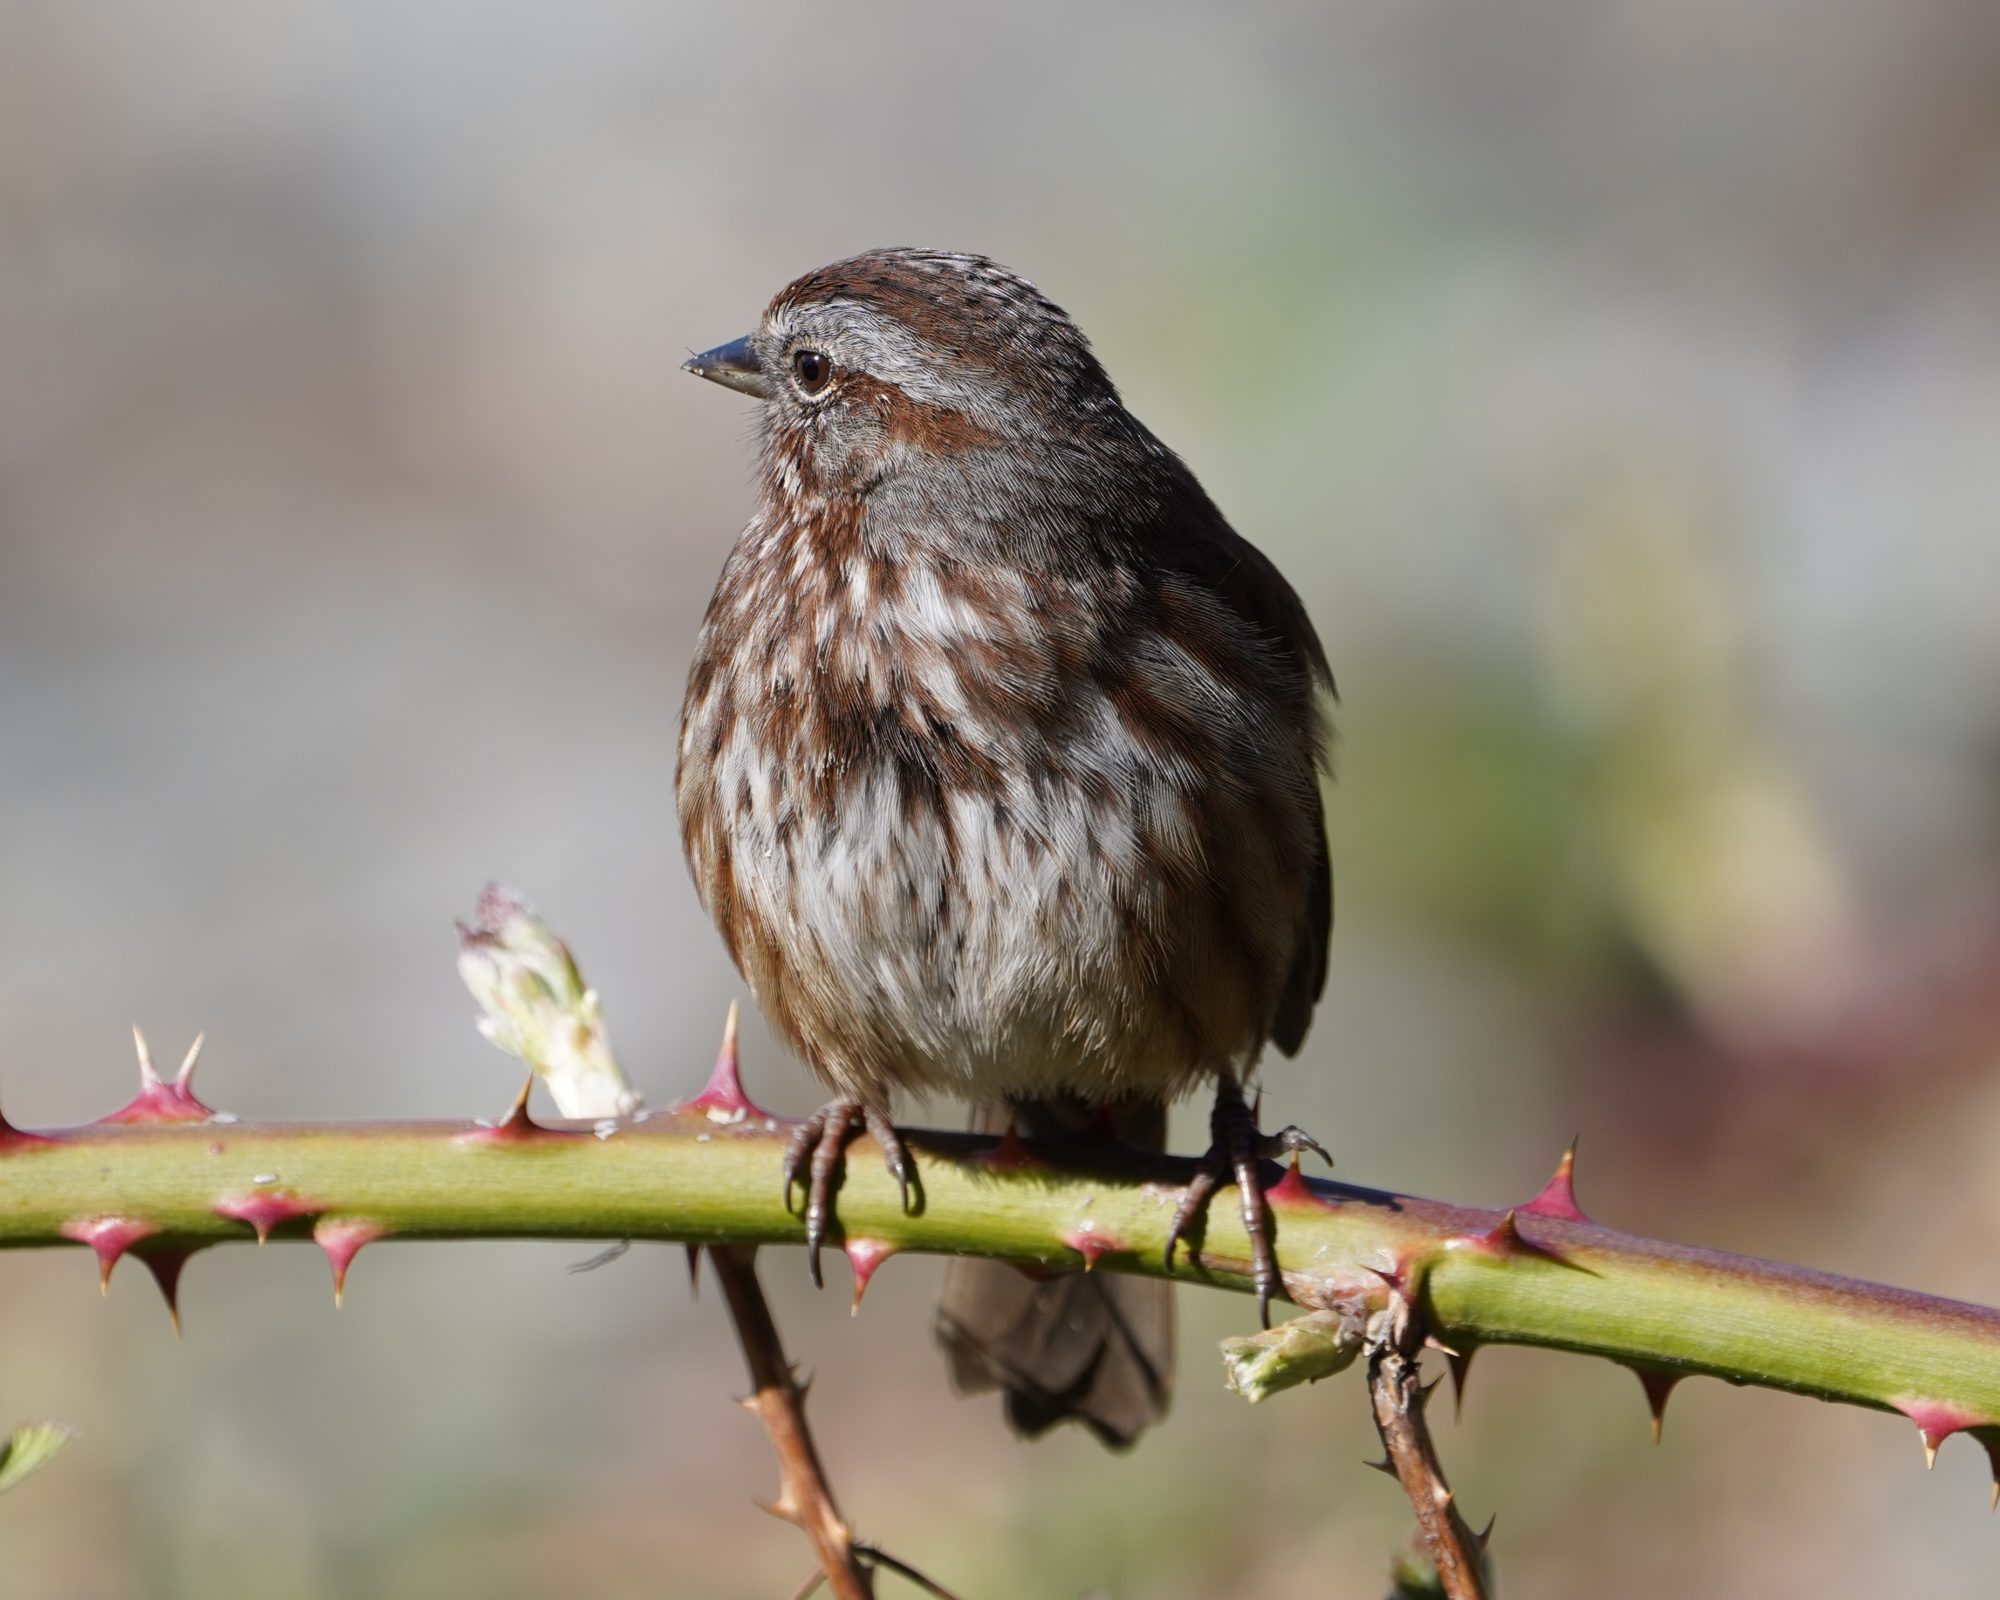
point(1095, 1349)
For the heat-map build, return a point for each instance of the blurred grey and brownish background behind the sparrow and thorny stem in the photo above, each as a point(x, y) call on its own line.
point(1621, 387)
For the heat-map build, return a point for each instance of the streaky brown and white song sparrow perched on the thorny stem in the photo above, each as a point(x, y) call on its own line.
point(999, 773)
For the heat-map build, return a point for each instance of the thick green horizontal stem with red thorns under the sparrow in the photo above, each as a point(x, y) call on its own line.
point(165, 1177)
